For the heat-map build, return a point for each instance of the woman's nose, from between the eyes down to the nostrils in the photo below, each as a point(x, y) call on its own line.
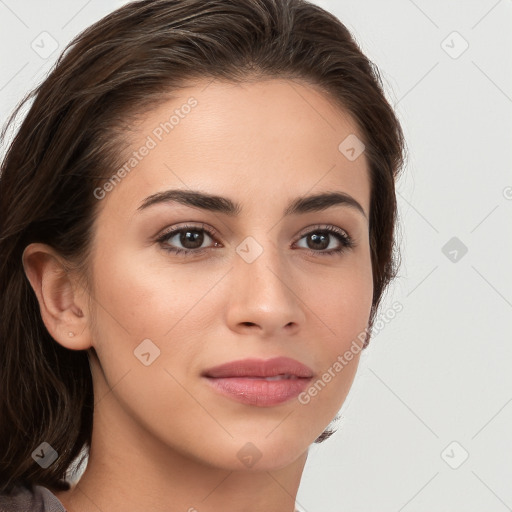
point(263, 297)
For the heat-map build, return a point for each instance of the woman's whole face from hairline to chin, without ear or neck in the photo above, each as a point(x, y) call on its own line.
point(257, 275)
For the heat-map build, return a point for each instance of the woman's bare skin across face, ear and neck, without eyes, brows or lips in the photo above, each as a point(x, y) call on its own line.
point(163, 440)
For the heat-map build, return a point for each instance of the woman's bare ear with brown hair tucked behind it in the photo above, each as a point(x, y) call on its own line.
point(62, 302)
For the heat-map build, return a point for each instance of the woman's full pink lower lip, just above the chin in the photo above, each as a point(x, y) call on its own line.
point(259, 392)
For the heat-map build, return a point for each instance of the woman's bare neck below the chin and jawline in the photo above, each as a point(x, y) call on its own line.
point(118, 483)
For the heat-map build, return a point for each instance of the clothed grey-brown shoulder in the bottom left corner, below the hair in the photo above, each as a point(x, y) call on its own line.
point(35, 499)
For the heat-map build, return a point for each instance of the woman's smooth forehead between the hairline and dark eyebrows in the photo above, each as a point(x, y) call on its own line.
point(259, 143)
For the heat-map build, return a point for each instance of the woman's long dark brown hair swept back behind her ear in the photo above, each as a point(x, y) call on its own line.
point(117, 67)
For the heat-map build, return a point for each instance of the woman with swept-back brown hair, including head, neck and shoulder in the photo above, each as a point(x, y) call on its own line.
point(197, 227)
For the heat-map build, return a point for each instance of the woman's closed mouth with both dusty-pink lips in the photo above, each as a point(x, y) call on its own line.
point(258, 382)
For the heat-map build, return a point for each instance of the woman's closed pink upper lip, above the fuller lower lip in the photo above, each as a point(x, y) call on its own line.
point(260, 368)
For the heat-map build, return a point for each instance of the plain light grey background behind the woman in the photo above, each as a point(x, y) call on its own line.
point(440, 371)
